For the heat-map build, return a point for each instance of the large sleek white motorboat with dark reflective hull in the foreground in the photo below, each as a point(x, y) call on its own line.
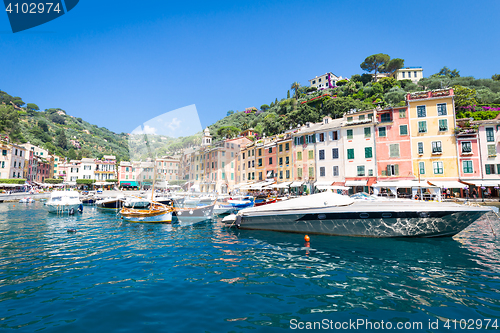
point(334, 214)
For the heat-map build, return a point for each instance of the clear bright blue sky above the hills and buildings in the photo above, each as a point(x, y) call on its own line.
point(118, 64)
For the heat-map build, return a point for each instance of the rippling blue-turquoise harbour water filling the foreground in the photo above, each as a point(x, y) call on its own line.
point(114, 276)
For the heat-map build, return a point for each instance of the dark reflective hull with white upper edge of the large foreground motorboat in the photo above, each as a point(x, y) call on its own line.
point(375, 220)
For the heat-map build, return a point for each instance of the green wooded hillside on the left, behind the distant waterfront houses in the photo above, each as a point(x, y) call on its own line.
point(58, 132)
